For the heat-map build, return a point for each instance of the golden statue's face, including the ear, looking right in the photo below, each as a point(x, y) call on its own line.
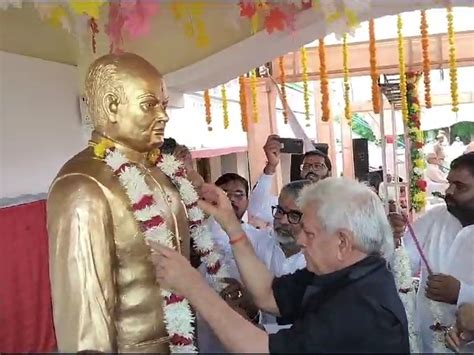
point(139, 120)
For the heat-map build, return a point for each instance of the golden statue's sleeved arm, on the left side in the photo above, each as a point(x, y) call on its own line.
point(81, 247)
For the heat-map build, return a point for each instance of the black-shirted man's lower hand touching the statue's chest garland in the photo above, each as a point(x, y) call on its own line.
point(173, 271)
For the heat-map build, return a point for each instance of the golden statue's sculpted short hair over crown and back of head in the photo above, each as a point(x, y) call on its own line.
point(108, 75)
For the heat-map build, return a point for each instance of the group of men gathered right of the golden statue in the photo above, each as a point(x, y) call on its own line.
point(316, 275)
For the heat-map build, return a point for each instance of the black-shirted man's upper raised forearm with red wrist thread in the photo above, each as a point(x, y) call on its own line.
point(256, 277)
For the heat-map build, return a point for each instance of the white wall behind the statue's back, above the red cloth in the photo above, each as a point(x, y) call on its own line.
point(39, 122)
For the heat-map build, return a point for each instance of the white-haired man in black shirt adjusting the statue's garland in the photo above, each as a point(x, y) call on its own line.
point(344, 301)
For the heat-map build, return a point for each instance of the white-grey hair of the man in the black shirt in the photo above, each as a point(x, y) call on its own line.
point(351, 205)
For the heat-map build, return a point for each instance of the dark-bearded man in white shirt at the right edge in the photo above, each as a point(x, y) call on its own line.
point(446, 237)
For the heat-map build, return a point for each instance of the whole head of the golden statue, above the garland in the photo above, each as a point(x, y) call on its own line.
point(127, 100)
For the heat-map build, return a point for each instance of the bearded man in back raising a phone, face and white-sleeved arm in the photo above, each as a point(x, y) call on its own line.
point(316, 166)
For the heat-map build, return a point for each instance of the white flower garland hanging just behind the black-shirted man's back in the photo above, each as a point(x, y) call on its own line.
point(402, 273)
